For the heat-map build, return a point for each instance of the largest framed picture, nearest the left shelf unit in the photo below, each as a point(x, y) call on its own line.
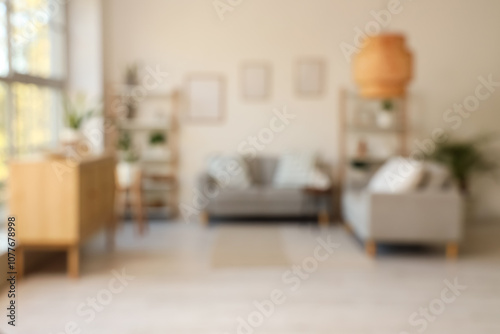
point(205, 97)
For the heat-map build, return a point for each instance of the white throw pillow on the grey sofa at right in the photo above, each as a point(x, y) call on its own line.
point(397, 175)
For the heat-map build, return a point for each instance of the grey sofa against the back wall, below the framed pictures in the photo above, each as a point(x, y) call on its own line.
point(261, 199)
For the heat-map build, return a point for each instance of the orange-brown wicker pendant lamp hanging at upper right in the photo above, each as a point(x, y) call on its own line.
point(383, 67)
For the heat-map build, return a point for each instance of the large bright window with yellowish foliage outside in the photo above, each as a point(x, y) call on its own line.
point(32, 75)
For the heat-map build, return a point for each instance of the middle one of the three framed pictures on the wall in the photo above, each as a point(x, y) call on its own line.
point(256, 81)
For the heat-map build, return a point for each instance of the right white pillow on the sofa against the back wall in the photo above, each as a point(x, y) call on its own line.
point(294, 170)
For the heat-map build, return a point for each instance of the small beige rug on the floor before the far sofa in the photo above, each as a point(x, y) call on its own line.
point(248, 246)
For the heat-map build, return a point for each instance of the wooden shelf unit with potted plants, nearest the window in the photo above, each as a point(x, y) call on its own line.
point(153, 113)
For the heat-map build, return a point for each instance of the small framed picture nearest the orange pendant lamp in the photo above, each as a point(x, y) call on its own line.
point(310, 77)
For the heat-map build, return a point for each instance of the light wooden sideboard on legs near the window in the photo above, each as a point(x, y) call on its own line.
point(59, 204)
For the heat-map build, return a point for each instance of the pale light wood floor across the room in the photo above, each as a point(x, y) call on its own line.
point(176, 290)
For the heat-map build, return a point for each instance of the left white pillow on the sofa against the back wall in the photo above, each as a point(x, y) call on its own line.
point(229, 171)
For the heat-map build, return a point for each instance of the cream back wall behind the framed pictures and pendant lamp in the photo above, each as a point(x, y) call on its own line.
point(454, 42)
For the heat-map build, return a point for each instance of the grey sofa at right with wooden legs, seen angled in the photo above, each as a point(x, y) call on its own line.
point(428, 216)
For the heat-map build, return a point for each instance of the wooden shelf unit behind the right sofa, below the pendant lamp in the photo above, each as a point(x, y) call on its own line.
point(371, 131)
